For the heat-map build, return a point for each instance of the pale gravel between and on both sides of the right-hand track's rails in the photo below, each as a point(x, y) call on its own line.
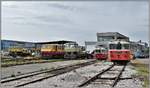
point(74, 78)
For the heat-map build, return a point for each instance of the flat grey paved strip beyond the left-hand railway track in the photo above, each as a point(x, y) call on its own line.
point(15, 70)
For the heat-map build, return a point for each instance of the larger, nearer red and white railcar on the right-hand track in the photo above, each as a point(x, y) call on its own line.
point(119, 51)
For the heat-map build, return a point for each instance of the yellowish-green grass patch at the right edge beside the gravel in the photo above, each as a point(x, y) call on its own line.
point(142, 73)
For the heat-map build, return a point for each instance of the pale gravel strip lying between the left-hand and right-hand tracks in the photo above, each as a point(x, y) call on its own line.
point(68, 80)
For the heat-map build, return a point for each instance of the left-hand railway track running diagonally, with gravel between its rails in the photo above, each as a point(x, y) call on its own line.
point(39, 76)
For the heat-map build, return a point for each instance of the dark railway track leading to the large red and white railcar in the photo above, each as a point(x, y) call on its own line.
point(99, 76)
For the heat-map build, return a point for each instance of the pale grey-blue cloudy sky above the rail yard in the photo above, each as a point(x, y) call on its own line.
point(41, 21)
